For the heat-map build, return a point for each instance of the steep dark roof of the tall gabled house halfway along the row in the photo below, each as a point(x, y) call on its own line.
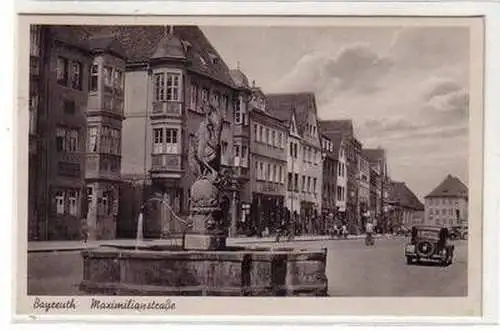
point(282, 104)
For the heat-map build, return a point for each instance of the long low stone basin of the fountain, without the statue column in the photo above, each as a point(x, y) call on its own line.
point(157, 270)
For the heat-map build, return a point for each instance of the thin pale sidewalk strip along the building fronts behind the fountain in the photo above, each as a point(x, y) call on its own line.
point(57, 246)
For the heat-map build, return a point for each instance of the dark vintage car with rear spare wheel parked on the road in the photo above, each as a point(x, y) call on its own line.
point(429, 243)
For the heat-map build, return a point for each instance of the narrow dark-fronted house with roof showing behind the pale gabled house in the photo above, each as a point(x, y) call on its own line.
point(353, 147)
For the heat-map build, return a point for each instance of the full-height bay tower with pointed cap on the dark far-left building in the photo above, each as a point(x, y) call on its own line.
point(104, 134)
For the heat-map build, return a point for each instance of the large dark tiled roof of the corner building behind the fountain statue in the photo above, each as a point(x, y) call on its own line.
point(141, 43)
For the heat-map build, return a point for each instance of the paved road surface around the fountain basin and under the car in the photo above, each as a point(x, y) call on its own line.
point(352, 269)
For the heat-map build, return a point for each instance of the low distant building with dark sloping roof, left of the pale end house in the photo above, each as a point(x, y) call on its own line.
point(405, 209)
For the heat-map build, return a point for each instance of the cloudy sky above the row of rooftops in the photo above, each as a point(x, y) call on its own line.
point(405, 88)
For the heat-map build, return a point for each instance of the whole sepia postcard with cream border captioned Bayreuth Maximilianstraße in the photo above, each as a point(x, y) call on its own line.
point(249, 166)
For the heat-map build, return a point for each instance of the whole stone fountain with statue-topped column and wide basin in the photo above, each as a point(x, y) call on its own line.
point(204, 265)
